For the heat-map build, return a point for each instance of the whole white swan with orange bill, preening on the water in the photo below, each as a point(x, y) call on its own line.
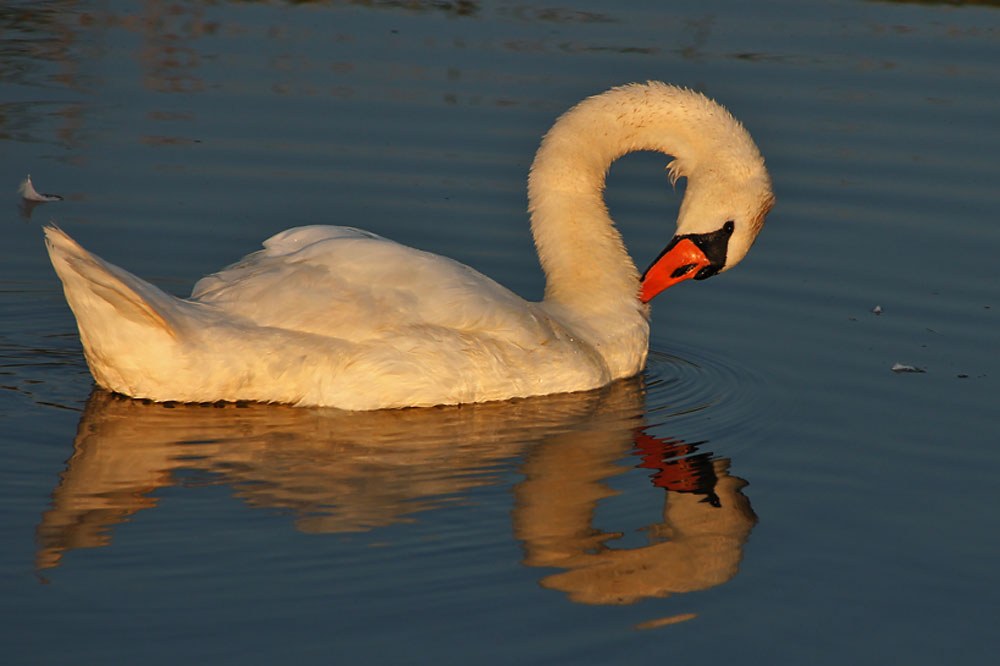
point(339, 317)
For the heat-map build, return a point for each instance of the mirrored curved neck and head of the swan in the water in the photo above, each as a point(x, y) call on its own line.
point(699, 543)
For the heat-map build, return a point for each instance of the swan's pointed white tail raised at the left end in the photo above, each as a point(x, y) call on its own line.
point(100, 293)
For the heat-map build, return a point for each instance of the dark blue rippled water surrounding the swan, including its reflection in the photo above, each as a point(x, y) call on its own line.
point(608, 527)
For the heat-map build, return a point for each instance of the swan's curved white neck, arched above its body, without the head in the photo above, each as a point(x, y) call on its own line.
point(586, 264)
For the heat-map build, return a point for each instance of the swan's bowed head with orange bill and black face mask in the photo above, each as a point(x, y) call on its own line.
point(718, 222)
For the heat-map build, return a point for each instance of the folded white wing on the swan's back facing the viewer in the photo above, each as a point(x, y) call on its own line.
point(351, 284)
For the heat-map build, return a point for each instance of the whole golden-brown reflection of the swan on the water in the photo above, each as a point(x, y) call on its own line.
point(338, 471)
